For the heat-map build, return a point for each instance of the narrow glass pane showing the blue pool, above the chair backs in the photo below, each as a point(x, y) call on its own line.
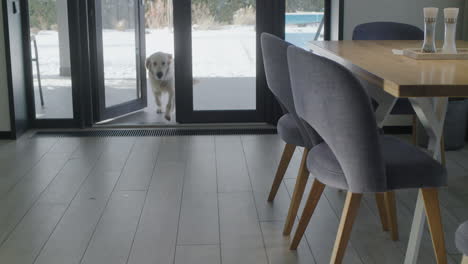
point(304, 19)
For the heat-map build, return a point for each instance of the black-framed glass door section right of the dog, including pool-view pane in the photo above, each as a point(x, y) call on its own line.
point(218, 56)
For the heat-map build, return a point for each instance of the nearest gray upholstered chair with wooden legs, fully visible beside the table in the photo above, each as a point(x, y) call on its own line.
point(354, 156)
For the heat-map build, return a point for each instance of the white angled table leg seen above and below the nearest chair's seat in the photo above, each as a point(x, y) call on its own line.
point(431, 113)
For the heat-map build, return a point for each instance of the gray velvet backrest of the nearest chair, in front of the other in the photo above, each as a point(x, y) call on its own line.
point(335, 104)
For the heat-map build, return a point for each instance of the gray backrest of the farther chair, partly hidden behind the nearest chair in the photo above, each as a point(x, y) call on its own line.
point(275, 61)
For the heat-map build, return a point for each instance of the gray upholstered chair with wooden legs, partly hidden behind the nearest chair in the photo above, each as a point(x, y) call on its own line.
point(290, 128)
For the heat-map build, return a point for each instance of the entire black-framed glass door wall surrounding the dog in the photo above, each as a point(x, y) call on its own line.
point(88, 57)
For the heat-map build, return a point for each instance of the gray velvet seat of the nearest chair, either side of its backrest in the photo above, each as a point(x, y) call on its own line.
point(406, 166)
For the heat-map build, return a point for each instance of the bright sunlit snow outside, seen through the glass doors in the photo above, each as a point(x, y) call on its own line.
point(225, 52)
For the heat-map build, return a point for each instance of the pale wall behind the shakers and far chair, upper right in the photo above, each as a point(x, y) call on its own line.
point(404, 11)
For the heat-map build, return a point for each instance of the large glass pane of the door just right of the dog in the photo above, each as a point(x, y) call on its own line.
point(224, 55)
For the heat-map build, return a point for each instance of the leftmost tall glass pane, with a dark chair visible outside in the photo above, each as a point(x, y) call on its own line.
point(50, 56)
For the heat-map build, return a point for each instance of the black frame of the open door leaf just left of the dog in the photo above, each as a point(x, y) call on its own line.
point(101, 112)
